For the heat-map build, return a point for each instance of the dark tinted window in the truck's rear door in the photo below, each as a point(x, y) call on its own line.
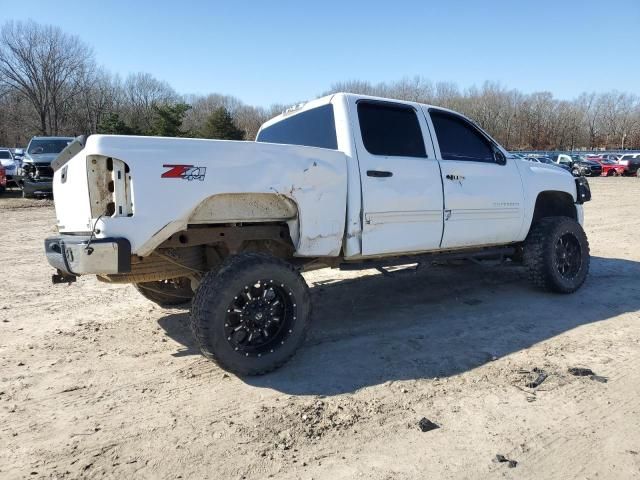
point(390, 129)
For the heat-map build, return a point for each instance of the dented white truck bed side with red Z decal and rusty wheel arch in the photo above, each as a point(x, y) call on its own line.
point(175, 182)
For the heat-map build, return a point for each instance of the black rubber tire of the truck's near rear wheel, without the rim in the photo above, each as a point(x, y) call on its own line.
point(213, 302)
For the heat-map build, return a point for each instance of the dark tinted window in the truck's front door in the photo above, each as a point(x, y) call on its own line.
point(459, 140)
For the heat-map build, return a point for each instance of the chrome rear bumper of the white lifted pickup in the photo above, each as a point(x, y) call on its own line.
point(80, 255)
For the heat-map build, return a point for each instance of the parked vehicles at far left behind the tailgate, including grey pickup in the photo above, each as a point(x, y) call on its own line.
point(30, 169)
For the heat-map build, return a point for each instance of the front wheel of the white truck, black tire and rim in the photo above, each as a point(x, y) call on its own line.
point(547, 242)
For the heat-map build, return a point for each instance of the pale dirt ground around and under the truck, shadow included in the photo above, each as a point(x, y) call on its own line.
point(98, 382)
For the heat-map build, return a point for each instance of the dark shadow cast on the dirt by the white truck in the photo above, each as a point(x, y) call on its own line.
point(439, 322)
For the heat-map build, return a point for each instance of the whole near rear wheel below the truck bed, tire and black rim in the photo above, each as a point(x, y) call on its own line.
point(224, 292)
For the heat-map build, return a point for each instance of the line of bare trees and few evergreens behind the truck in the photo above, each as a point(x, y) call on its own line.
point(50, 84)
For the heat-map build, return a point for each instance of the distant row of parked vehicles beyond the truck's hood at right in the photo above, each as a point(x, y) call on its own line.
point(590, 165)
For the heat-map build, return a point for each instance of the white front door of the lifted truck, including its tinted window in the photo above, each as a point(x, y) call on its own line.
point(483, 193)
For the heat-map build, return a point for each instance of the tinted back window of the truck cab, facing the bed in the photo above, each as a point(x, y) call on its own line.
point(313, 128)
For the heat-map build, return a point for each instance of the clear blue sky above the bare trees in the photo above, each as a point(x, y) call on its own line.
point(283, 51)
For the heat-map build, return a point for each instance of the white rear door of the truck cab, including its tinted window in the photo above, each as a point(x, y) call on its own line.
point(400, 177)
